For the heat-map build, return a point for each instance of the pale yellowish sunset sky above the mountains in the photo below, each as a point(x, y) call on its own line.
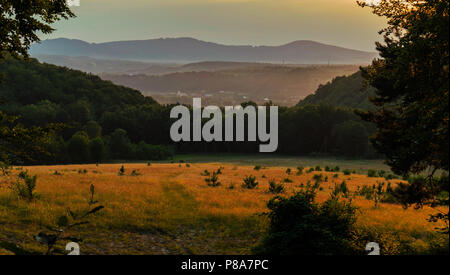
point(230, 22)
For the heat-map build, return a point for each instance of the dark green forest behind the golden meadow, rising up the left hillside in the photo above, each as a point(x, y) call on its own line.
point(98, 121)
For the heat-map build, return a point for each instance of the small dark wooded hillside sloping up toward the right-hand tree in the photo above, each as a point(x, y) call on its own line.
point(343, 91)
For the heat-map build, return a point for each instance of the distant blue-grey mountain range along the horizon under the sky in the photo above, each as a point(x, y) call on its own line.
point(185, 50)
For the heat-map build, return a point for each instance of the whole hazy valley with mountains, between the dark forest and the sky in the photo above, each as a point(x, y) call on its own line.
point(177, 69)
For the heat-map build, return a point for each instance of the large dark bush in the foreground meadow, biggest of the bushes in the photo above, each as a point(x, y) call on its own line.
point(300, 226)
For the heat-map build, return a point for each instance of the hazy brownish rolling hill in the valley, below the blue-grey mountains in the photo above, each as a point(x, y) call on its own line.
point(284, 85)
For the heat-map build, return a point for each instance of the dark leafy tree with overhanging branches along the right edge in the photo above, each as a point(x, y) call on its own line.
point(412, 94)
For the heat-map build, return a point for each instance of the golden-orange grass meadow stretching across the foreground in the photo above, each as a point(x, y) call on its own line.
point(169, 209)
